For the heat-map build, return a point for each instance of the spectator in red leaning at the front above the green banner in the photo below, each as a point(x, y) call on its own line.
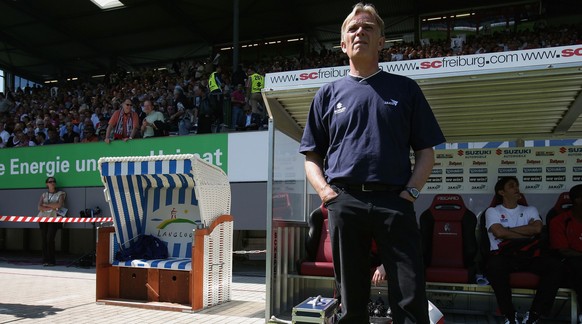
point(124, 123)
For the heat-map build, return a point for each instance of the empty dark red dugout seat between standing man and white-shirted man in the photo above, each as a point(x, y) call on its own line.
point(449, 241)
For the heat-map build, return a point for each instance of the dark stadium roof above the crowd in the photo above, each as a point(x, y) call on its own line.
point(46, 39)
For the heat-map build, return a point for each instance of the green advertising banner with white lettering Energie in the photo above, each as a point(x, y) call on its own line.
point(75, 165)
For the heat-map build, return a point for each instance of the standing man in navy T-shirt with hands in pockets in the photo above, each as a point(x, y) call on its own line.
point(357, 143)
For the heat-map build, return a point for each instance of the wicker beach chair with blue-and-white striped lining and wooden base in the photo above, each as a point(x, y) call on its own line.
point(185, 202)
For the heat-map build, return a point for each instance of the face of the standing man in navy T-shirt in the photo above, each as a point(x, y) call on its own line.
point(362, 37)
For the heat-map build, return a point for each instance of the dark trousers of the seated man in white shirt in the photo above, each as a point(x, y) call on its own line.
point(548, 268)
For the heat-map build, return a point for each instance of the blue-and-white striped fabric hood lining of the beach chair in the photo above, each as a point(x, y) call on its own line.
point(139, 187)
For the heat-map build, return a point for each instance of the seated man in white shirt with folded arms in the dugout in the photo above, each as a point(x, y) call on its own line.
point(510, 221)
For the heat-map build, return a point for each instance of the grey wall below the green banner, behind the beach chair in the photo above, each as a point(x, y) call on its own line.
point(249, 207)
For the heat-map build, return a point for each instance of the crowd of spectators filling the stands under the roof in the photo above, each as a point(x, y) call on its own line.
point(80, 111)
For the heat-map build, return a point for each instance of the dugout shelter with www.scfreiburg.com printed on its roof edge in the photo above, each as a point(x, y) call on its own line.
point(519, 96)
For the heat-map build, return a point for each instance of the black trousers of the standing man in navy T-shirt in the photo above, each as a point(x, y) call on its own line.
point(355, 218)
